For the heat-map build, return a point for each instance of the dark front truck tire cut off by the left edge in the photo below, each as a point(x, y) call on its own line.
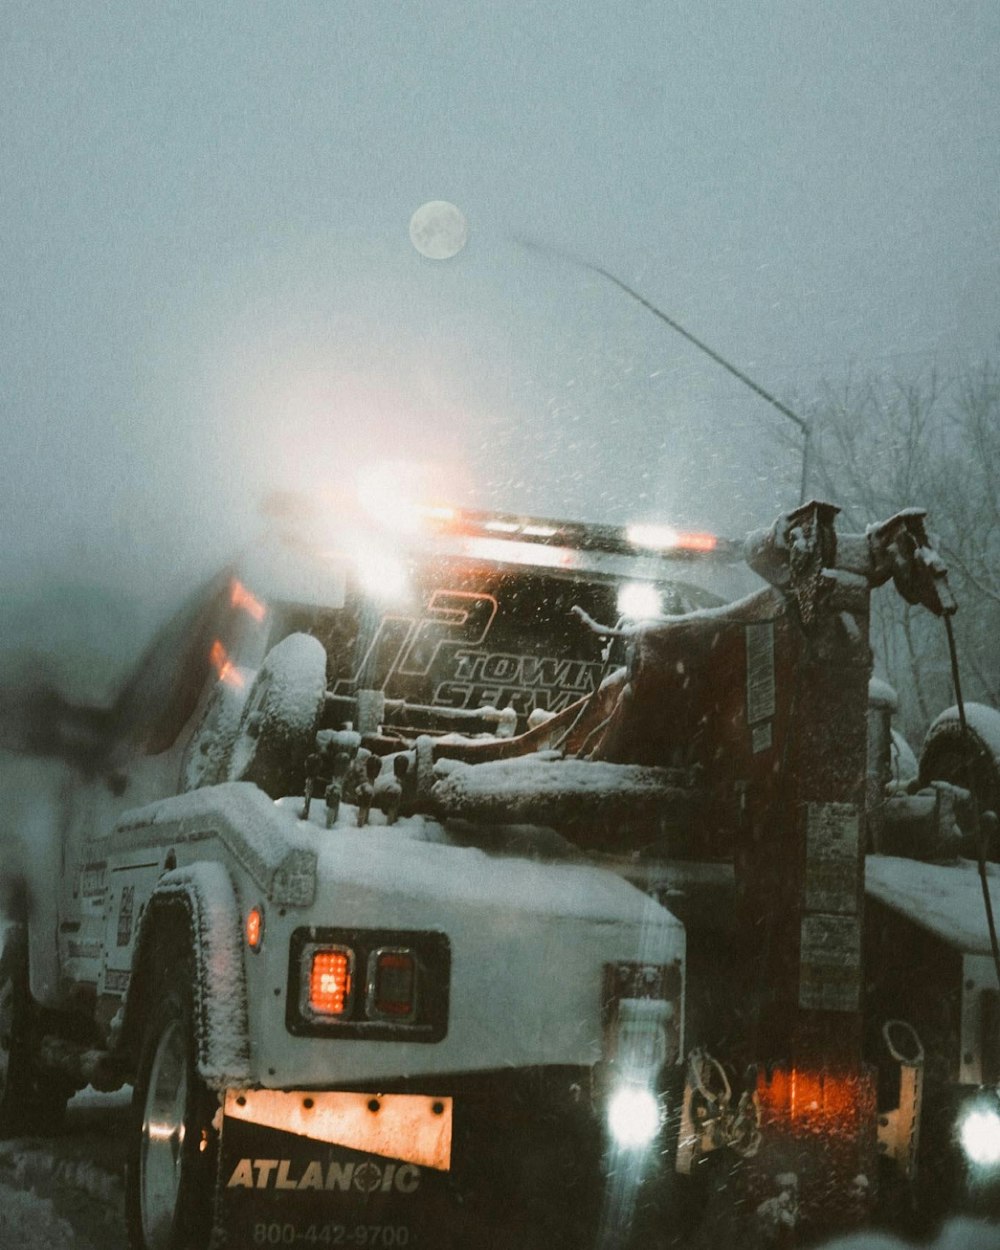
point(31, 1101)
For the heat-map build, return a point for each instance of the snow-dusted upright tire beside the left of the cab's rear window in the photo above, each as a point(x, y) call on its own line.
point(279, 721)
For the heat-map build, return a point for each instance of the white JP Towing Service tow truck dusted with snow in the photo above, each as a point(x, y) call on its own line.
point(504, 883)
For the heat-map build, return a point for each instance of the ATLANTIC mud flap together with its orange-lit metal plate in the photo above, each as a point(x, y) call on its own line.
point(518, 1177)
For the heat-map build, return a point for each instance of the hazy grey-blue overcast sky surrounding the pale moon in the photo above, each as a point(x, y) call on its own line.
point(209, 291)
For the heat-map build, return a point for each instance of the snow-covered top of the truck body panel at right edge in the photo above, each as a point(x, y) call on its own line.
point(947, 901)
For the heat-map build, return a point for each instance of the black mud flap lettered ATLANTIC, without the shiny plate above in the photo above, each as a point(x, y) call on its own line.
point(282, 1189)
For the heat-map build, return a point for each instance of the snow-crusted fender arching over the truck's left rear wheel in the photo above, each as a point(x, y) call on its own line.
point(199, 904)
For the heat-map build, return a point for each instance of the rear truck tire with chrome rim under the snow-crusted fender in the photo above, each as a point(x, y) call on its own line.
point(173, 1146)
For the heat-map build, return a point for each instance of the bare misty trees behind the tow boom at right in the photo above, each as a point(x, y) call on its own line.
point(932, 442)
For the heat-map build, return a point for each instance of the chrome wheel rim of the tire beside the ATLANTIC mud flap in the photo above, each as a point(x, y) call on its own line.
point(163, 1137)
